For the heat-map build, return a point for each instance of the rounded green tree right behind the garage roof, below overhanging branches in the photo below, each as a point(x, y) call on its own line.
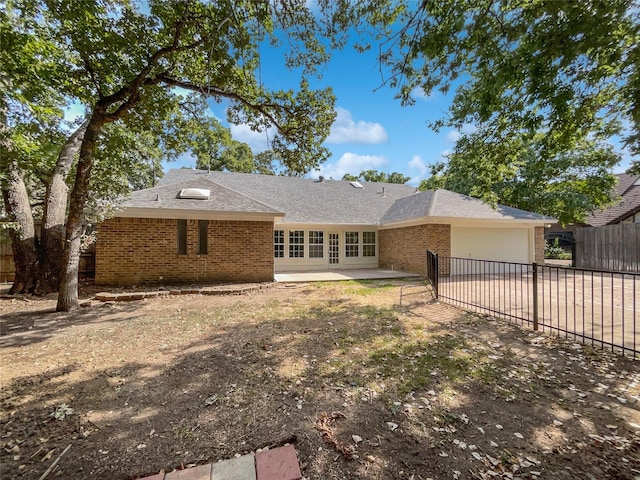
point(566, 187)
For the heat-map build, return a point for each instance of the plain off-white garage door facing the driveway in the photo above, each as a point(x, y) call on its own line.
point(502, 244)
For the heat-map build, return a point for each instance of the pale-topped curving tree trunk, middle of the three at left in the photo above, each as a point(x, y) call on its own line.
point(55, 210)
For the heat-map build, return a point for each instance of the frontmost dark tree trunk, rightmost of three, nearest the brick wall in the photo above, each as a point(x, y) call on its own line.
point(68, 291)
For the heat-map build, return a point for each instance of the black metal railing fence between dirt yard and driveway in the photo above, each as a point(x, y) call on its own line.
point(595, 307)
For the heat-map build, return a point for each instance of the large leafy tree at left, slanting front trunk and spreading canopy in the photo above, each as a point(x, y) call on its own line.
point(129, 63)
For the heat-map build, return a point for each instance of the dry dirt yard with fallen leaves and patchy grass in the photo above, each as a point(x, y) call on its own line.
point(361, 387)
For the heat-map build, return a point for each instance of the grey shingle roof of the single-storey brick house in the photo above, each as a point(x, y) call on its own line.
point(304, 200)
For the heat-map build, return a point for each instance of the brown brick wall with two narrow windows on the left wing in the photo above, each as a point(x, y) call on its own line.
point(132, 251)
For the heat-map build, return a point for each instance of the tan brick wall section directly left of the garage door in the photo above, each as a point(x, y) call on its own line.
point(405, 248)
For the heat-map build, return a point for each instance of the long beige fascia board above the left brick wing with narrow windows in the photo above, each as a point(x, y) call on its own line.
point(174, 213)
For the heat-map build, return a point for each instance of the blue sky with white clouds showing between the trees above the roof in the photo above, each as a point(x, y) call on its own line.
point(372, 130)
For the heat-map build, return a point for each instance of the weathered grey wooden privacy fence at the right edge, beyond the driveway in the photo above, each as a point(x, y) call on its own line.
point(613, 247)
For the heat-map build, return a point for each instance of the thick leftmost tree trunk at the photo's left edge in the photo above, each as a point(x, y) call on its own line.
point(23, 239)
